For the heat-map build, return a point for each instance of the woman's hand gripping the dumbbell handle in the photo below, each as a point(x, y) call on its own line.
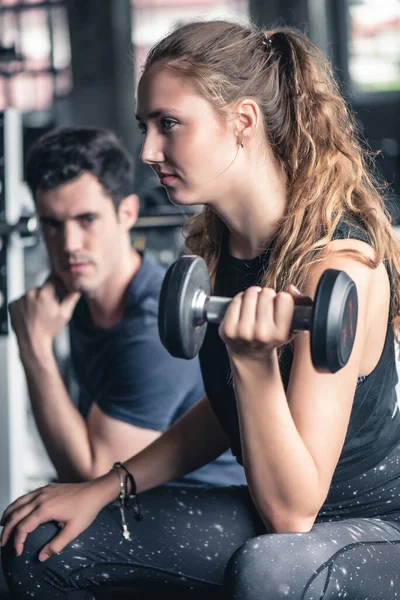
point(258, 321)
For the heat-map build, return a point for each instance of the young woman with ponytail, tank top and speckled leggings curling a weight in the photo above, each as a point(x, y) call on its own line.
point(251, 125)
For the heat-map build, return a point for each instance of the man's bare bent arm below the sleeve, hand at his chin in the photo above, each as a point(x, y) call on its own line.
point(76, 448)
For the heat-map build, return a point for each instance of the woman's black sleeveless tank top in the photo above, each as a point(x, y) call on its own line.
point(374, 426)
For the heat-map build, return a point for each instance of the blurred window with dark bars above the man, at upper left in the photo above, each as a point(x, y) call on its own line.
point(35, 54)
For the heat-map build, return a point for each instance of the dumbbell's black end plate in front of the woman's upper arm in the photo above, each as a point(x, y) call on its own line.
point(334, 321)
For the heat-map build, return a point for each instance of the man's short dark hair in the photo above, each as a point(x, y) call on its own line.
point(66, 153)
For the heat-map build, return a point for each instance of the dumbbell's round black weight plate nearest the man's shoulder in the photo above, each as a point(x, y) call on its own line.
point(181, 284)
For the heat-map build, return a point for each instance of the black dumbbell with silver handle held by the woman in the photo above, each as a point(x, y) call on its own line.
point(186, 308)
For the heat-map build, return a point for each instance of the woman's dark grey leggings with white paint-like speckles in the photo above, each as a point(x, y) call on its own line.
point(210, 543)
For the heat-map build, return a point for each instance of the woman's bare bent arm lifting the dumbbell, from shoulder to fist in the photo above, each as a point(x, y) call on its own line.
point(291, 442)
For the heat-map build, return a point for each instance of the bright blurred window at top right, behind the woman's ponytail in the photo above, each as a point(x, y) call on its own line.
point(374, 45)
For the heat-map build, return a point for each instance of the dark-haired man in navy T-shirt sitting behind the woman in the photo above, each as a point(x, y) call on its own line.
point(130, 388)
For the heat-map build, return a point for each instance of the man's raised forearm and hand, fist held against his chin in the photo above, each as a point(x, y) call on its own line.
point(37, 317)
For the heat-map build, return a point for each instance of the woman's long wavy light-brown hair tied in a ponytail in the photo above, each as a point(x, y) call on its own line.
point(329, 174)
